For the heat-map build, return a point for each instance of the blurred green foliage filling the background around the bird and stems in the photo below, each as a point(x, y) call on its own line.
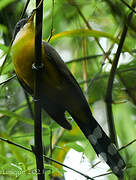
point(72, 39)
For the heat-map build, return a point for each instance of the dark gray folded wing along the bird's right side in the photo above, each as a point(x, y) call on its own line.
point(71, 96)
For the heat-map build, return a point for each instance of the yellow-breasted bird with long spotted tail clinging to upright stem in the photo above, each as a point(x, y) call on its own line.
point(60, 92)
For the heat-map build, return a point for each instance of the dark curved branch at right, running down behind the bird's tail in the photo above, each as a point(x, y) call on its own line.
point(108, 98)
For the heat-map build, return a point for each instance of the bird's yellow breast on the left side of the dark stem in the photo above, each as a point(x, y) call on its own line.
point(22, 53)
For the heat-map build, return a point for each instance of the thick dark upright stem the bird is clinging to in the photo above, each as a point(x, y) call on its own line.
point(38, 148)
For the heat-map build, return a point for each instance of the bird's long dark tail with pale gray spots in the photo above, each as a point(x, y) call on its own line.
point(103, 145)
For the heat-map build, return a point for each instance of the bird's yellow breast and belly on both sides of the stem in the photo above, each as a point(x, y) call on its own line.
point(23, 57)
